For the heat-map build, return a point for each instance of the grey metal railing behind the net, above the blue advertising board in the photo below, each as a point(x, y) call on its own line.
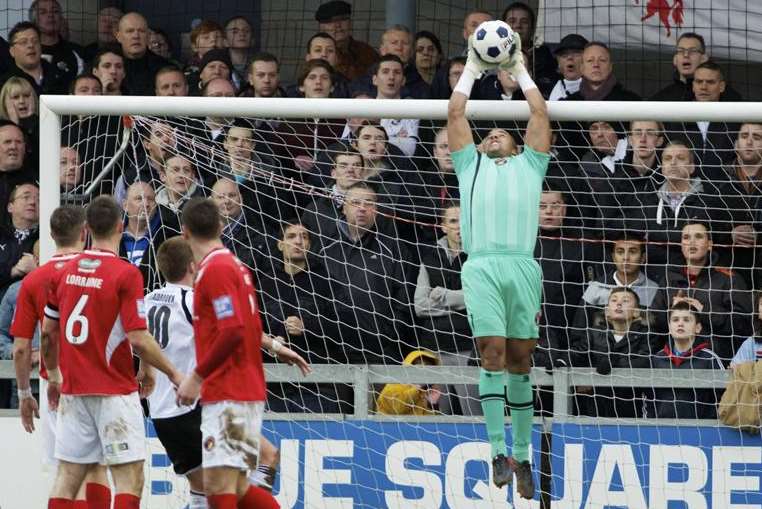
point(562, 381)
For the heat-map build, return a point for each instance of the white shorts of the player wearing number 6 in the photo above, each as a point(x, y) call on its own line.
point(100, 429)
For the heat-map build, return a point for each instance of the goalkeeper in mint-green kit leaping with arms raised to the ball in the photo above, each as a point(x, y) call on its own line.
point(502, 283)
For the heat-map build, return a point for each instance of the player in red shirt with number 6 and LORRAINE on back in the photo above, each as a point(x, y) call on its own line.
point(95, 320)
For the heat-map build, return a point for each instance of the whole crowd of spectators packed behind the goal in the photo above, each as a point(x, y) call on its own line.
point(648, 232)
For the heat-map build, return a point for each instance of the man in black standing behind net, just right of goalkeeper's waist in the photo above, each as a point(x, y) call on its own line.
point(565, 263)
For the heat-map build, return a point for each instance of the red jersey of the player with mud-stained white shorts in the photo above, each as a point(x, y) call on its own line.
point(224, 297)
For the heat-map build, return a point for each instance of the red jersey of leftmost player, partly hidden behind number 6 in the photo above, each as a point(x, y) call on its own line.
point(33, 295)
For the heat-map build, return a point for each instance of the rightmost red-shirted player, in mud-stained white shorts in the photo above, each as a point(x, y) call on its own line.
point(229, 375)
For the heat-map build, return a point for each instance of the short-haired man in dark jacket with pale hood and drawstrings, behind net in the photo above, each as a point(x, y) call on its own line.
point(682, 196)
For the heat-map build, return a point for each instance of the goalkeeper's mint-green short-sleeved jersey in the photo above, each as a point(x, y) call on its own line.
point(499, 200)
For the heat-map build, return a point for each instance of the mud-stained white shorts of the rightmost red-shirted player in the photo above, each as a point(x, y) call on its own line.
point(230, 434)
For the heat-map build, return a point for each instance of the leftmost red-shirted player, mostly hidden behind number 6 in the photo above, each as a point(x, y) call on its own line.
point(67, 228)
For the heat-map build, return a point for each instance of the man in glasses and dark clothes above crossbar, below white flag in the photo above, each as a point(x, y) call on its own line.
point(690, 52)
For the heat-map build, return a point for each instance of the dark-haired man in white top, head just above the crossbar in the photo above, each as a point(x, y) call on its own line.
point(388, 79)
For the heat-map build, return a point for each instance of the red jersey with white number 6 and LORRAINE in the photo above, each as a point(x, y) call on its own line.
point(97, 298)
